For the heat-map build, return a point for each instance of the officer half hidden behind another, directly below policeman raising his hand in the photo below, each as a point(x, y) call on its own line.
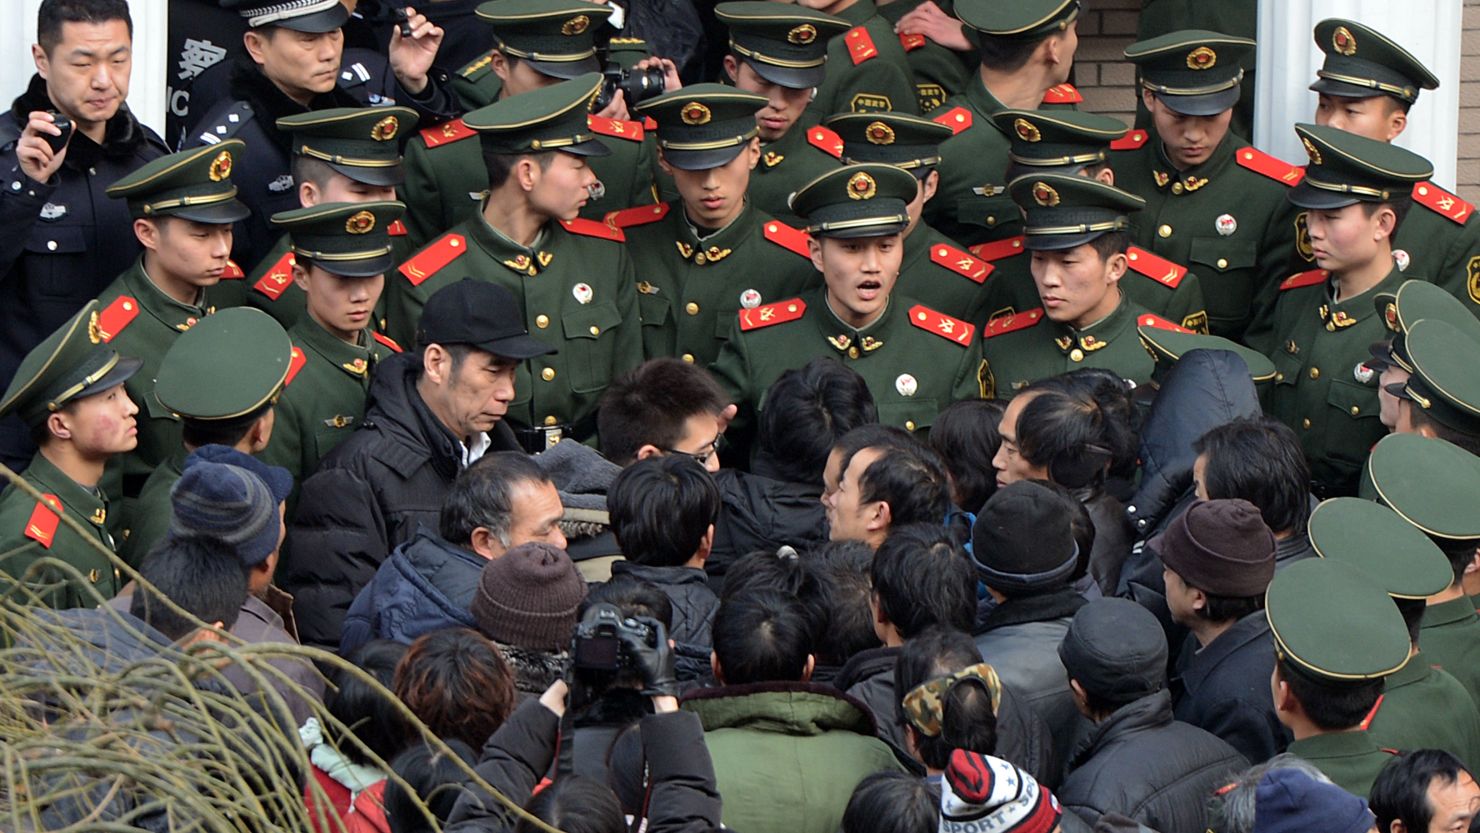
point(340, 156)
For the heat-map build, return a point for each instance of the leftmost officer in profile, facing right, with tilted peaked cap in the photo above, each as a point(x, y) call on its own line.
point(70, 394)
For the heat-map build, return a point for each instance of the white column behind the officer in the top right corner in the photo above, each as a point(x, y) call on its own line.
point(1288, 61)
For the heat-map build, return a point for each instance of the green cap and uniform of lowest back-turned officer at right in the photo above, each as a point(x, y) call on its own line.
point(1336, 627)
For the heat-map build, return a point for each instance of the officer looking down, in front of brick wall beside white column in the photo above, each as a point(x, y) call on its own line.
point(1213, 202)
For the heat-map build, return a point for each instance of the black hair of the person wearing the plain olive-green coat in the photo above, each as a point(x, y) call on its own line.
point(761, 637)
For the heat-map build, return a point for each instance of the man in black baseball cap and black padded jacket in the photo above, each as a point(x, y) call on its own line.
point(433, 412)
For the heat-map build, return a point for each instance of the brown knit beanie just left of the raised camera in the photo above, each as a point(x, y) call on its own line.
point(529, 598)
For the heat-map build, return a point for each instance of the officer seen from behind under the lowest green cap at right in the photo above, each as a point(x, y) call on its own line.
point(1337, 635)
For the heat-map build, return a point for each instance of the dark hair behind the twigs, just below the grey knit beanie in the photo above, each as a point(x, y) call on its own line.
point(206, 582)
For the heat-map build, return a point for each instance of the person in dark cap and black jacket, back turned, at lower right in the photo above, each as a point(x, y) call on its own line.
point(1139, 761)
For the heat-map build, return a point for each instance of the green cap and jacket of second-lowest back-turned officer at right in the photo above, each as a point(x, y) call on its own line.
point(1423, 706)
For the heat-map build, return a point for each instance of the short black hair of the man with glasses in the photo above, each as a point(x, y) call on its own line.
point(650, 405)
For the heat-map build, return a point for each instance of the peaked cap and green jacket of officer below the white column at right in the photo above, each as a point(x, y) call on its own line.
point(1325, 388)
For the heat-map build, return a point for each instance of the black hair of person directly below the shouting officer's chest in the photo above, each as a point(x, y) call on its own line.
point(807, 411)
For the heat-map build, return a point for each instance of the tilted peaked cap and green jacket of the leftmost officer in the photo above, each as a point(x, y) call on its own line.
point(73, 363)
